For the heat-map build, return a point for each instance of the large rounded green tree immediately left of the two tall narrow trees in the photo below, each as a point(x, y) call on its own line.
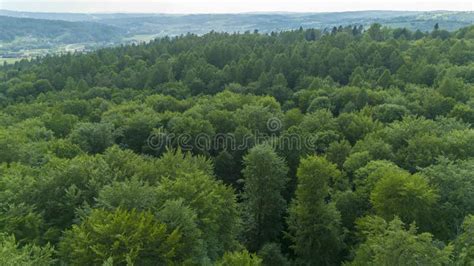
point(215, 205)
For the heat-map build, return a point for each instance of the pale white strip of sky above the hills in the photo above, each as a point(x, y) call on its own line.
point(230, 6)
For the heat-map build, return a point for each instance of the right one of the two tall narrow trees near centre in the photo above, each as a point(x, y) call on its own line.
point(315, 225)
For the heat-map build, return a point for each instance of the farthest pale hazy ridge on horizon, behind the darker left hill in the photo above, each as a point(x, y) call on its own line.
point(166, 24)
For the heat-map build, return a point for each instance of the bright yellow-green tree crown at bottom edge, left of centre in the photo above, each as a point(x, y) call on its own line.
point(124, 236)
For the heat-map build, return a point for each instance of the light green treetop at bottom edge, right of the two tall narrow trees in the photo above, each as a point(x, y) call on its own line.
point(391, 244)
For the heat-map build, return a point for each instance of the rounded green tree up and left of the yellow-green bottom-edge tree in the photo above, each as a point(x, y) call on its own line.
point(64, 186)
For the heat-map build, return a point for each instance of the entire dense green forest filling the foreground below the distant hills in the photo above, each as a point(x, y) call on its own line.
point(386, 175)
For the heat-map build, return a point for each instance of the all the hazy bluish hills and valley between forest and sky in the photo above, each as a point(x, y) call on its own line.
point(27, 34)
